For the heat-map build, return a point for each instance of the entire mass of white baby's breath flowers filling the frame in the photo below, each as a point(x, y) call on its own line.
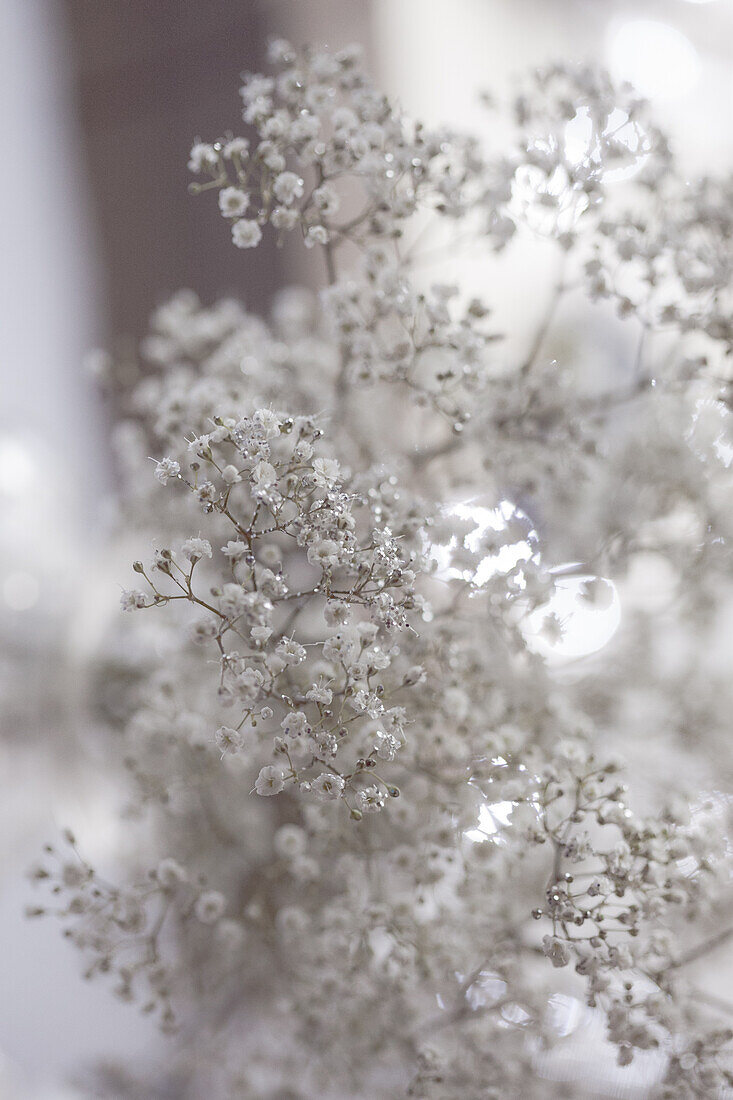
point(386, 817)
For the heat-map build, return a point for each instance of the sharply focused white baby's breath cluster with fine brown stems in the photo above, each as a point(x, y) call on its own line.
point(329, 710)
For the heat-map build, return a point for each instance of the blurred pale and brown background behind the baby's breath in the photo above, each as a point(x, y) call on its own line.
point(100, 105)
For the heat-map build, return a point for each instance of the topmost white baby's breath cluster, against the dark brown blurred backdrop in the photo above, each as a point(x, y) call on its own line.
point(322, 129)
